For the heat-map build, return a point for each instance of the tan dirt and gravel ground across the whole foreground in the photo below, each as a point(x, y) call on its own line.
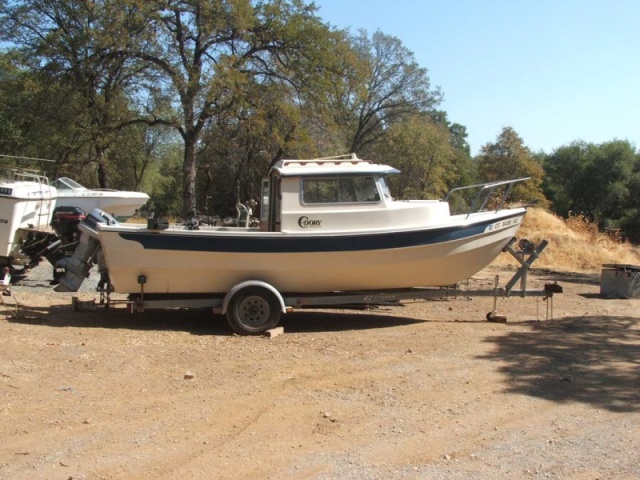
point(426, 391)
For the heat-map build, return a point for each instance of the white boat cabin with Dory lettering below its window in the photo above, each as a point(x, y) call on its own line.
point(338, 194)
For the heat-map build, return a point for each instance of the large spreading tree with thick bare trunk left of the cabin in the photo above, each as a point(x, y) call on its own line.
point(207, 54)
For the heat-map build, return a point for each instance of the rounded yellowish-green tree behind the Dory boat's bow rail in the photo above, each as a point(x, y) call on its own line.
point(508, 158)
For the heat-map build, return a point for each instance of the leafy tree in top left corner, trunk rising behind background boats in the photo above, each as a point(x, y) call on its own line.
point(80, 42)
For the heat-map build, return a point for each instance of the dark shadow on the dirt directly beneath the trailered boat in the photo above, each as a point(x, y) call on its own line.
point(201, 321)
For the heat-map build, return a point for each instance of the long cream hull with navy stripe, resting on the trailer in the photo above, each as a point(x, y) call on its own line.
point(214, 260)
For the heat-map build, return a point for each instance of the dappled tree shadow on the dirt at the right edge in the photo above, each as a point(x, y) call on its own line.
point(592, 360)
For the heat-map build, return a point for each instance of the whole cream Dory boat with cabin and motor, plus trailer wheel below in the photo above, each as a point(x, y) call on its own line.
point(326, 225)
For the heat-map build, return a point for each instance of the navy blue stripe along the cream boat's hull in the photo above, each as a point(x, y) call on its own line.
point(305, 244)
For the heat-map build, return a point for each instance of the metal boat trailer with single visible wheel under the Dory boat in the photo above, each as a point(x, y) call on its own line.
point(248, 304)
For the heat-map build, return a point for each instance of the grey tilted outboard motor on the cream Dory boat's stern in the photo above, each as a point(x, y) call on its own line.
point(88, 250)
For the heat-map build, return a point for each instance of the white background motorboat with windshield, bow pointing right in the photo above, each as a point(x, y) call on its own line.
point(118, 203)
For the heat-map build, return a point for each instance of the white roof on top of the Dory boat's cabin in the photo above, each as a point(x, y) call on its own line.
point(340, 165)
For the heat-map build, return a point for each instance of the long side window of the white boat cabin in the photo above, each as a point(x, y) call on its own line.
point(339, 190)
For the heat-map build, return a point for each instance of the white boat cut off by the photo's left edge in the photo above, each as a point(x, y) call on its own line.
point(27, 202)
